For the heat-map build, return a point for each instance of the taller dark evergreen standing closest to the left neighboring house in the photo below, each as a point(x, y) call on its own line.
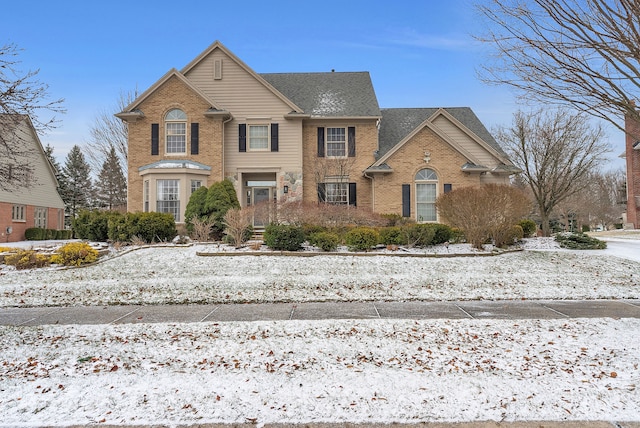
point(76, 188)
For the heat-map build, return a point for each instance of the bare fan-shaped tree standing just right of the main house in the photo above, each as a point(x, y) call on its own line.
point(555, 150)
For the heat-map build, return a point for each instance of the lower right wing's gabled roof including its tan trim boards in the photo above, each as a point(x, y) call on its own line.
point(398, 125)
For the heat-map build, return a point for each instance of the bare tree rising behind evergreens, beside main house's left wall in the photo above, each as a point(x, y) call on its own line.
point(108, 131)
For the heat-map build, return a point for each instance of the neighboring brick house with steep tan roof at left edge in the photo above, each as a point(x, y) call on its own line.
point(28, 199)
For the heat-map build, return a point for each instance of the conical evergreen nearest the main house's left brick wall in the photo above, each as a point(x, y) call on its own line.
point(111, 187)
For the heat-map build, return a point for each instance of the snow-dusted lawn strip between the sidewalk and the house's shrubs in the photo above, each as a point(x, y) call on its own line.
point(164, 275)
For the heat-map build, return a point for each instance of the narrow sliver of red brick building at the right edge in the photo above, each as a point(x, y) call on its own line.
point(632, 156)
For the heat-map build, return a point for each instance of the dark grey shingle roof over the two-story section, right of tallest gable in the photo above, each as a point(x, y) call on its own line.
point(348, 94)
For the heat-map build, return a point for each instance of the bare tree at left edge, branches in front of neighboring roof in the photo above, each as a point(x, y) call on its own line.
point(21, 94)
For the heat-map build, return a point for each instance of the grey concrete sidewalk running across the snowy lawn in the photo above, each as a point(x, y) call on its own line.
point(475, 309)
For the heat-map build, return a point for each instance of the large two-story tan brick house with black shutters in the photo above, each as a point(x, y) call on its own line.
point(311, 137)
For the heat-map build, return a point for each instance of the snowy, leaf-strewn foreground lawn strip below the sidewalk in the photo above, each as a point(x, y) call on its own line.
point(320, 371)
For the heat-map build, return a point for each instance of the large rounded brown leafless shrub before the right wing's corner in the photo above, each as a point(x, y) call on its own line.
point(484, 212)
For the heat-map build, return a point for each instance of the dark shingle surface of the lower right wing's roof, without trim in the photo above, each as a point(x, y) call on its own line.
point(397, 123)
